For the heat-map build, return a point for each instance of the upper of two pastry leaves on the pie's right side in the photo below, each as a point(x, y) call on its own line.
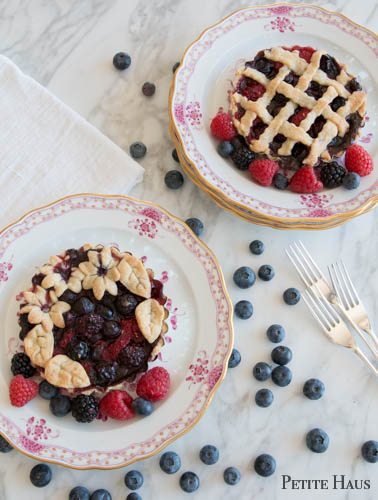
point(134, 277)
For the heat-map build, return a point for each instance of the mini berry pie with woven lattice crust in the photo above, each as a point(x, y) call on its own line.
point(297, 105)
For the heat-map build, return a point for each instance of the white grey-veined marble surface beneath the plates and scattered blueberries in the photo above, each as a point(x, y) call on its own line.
point(68, 46)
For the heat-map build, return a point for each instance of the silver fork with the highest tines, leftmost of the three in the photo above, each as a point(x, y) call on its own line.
point(315, 280)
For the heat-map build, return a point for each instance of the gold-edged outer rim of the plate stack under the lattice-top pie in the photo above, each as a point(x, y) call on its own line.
point(208, 188)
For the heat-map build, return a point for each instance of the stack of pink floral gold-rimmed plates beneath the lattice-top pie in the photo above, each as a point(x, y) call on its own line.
point(201, 86)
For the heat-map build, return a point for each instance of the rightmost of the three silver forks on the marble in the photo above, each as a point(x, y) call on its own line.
point(347, 296)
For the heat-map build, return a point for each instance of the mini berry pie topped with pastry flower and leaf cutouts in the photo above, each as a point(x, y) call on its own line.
point(92, 319)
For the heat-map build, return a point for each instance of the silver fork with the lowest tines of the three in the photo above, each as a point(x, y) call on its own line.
point(332, 324)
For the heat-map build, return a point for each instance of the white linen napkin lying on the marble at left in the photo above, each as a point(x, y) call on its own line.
point(48, 151)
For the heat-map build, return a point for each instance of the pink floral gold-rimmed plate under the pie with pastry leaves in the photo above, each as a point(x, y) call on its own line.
point(198, 342)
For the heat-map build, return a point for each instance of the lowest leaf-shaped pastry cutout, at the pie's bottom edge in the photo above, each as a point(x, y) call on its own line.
point(62, 371)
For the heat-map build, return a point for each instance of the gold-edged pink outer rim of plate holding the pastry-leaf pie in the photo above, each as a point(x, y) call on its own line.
point(213, 387)
